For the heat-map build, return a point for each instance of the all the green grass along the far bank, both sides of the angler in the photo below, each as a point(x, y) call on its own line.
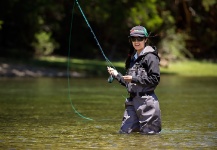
point(98, 68)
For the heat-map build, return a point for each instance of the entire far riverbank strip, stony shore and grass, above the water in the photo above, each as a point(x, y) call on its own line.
point(57, 67)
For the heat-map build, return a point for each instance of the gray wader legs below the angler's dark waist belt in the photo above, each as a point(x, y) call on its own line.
point(142, 114)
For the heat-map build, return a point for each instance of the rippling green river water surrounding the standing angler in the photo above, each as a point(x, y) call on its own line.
point(37, 114)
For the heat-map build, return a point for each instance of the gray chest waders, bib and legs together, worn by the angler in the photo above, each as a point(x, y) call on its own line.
point(142, 112)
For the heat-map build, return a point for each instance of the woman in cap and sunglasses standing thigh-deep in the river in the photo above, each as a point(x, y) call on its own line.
point(142, 112)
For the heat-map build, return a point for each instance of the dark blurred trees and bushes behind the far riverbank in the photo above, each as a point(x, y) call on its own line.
point(31, 29)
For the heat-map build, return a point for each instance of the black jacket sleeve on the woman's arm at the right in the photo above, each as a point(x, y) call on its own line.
point(151, 75)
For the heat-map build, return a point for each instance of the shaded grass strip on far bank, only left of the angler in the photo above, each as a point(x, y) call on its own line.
point(86, 66)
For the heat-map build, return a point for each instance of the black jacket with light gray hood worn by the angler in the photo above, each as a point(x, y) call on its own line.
point(145, 72)
